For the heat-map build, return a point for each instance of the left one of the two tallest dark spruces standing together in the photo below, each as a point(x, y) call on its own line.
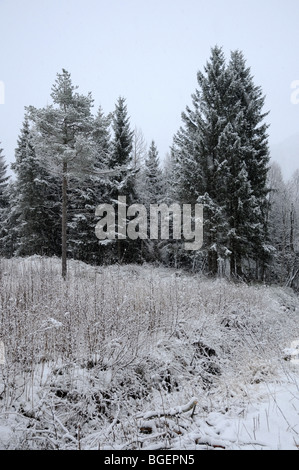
point(200, 167)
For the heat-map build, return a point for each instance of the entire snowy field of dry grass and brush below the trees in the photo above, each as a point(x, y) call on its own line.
point(137, 357)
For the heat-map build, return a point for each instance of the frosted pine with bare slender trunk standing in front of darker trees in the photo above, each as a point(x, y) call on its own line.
point(63, 140)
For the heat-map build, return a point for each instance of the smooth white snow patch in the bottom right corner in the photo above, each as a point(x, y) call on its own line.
point(267, 420)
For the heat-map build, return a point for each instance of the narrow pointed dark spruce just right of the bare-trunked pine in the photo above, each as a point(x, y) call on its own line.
point(123, 183)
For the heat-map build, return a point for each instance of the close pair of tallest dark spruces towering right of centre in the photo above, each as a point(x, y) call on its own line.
point(218, 152)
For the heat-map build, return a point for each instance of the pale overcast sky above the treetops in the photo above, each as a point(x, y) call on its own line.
point(148, 51)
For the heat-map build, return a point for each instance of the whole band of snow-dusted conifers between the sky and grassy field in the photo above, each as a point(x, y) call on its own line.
point(68, 161)
